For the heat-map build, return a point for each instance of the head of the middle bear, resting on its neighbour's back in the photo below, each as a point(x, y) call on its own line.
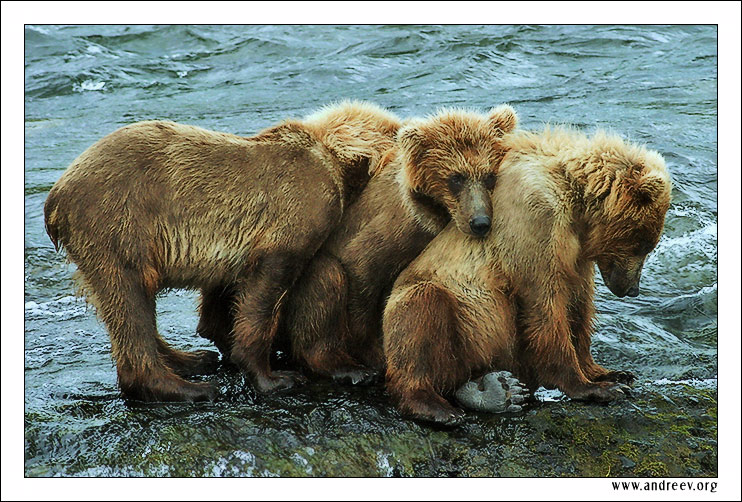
point(450, 165)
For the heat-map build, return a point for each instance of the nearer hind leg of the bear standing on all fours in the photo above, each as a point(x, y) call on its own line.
point(128, 311)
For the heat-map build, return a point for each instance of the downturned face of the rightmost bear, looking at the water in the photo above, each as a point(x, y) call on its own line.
point(630, 217)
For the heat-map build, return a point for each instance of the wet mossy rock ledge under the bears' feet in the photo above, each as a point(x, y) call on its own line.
point(331, 430)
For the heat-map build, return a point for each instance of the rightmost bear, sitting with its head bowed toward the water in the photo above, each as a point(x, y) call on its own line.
point(522, 300)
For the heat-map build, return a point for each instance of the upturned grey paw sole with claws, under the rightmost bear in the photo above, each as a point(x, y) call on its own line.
point(495, 392)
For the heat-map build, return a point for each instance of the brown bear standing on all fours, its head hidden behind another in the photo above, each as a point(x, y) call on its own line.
point(157, 205)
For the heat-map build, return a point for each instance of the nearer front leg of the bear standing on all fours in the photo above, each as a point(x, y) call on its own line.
point(257, 314)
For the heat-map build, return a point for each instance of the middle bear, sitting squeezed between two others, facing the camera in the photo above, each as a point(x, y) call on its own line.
point(443, 168)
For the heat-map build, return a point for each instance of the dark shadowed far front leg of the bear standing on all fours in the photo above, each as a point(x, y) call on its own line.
point(216, 317)
